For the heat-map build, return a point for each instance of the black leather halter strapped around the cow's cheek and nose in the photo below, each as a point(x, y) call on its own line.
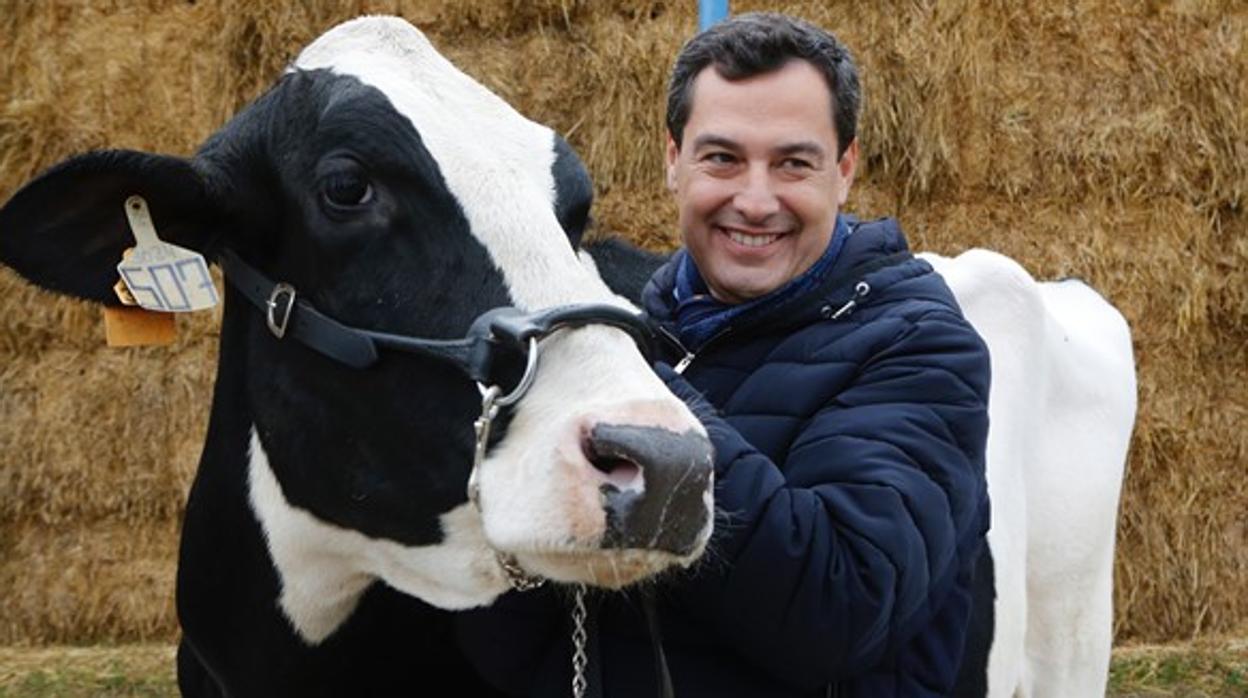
point(504, 328)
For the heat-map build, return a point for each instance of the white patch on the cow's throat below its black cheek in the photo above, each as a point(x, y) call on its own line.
point(325, 569)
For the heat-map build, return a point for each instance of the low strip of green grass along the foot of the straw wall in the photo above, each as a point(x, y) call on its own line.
point(147, 671)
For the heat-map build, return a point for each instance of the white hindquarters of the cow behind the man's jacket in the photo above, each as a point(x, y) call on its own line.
point(1063, 408)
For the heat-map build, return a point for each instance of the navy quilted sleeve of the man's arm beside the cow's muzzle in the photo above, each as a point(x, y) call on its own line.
point(827, 563)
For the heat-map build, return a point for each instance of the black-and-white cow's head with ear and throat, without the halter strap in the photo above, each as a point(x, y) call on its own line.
point(396, 194)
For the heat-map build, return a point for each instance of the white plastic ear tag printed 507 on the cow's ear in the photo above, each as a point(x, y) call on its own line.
point(162, 277)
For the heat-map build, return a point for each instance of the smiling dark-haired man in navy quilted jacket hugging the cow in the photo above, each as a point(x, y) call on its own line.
point(846, 395)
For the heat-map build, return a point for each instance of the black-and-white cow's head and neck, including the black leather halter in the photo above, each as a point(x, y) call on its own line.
point(399, 248)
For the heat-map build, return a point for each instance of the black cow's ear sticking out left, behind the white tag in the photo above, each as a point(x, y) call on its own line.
point(67, 230)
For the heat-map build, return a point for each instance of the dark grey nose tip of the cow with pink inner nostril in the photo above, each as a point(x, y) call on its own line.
point(655, 486)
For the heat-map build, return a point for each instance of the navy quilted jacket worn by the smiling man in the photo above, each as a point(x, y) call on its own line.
point(851, 436)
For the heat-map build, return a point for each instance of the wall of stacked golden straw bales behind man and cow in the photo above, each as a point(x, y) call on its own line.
point(1104, 140)
